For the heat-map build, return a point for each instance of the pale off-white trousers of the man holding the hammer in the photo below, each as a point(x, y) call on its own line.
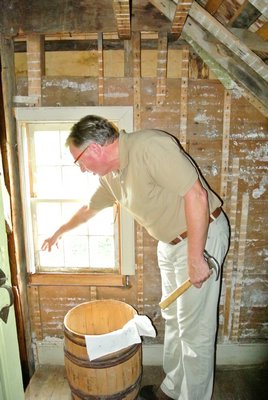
point(191, 321)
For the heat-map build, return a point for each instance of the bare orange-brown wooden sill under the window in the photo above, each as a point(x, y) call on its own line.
point(59, 279)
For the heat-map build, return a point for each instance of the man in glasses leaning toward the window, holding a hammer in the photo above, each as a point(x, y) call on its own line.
point(150, 175)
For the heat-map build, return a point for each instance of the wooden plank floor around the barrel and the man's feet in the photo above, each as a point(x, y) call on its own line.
point(231, 383)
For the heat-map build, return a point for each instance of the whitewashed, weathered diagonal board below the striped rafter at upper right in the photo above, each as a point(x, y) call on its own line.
point(232, 74)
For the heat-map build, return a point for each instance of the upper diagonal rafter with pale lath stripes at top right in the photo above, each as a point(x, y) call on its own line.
point(229, 40)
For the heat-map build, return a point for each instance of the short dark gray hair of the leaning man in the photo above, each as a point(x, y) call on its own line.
point(92, 129)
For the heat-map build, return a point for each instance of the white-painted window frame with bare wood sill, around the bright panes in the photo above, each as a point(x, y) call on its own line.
point(124, 120)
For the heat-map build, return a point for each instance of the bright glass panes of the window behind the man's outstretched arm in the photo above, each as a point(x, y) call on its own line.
point(59, 189)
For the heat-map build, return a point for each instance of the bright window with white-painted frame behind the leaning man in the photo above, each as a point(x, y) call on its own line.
point(54, 188)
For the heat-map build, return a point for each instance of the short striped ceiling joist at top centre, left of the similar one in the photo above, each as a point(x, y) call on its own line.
point(122, 16)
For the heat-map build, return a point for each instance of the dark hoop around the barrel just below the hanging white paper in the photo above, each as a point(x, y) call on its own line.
point(102, 363)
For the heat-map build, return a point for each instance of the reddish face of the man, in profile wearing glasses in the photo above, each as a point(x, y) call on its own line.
point(90, 158)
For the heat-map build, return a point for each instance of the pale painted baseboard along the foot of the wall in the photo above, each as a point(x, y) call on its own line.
point(50, 351)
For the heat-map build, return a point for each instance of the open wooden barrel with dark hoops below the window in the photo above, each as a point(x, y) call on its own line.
point(115, 376)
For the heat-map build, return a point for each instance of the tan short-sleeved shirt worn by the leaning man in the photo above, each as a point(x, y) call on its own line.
point(155, 174)
